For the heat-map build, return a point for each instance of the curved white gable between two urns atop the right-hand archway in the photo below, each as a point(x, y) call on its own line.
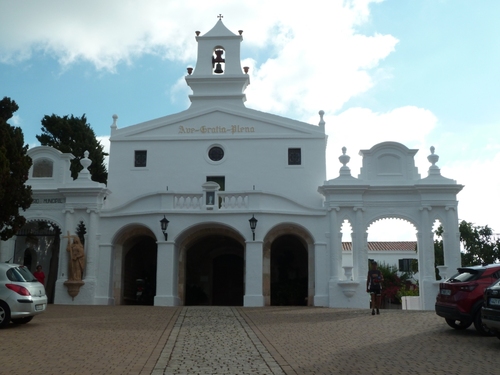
point(389, 161)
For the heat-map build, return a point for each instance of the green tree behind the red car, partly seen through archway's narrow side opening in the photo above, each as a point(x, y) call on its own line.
point(479, 245)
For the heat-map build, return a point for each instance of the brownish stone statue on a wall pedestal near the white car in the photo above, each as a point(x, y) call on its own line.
point(76, 265)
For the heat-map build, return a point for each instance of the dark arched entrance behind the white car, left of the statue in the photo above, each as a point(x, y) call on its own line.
point(37, 242)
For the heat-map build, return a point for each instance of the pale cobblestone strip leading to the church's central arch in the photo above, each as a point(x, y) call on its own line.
point(214, 340)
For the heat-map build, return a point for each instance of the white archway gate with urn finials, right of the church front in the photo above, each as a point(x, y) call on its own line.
point(389, 186)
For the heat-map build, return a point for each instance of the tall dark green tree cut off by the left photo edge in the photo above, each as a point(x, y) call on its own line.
point(14, 168)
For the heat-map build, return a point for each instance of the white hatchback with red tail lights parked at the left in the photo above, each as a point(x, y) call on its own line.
point(21, 295)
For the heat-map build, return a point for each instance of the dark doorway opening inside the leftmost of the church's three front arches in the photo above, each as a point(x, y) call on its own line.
point(139, 283)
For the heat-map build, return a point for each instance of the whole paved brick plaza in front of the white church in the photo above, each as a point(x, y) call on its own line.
point(237, 340)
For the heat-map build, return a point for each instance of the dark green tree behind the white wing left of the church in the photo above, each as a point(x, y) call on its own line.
point(74, 135)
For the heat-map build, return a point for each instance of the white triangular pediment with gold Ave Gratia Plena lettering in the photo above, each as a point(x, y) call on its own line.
point(218, 122)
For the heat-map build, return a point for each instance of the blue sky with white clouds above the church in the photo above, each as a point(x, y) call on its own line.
point(421, 72)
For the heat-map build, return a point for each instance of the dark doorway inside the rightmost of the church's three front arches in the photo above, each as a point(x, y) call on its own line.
point(289, 272)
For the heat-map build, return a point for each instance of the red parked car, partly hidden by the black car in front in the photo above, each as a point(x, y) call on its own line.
point(461, 297)
